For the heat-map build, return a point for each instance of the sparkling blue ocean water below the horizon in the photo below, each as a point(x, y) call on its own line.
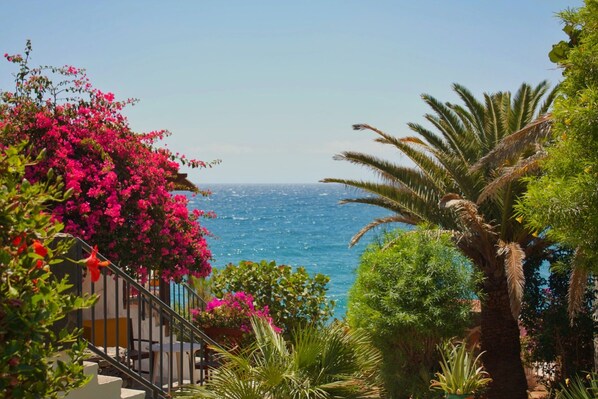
point(298, 225)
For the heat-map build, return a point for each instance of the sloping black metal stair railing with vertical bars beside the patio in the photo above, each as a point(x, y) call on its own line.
point(139, 334)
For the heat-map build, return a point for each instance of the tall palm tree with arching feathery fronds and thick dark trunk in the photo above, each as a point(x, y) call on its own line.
point(448, 187)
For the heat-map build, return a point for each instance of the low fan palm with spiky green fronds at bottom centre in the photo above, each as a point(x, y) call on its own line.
point(326, 363)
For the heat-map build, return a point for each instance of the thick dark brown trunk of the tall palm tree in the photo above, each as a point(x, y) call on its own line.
point(500, 340)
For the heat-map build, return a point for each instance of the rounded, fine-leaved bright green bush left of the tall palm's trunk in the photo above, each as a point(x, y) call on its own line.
point(410, 293)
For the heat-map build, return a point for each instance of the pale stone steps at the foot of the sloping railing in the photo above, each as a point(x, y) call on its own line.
point(103, 387)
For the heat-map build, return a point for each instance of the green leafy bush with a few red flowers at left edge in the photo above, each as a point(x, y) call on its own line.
point(32, 300)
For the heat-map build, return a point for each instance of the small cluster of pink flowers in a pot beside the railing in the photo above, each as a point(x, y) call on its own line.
point(234, 310)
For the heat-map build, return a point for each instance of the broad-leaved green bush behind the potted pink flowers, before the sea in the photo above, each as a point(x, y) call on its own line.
point(293, 298)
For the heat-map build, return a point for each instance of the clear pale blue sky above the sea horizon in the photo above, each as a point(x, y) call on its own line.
point(272, 87)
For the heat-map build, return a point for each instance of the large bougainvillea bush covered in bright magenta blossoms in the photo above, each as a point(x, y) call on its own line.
point(121, 181)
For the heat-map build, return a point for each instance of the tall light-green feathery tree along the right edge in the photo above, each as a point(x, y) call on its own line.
point(564, 197)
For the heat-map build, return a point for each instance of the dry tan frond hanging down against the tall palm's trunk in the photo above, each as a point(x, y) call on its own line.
point(514, 256)
